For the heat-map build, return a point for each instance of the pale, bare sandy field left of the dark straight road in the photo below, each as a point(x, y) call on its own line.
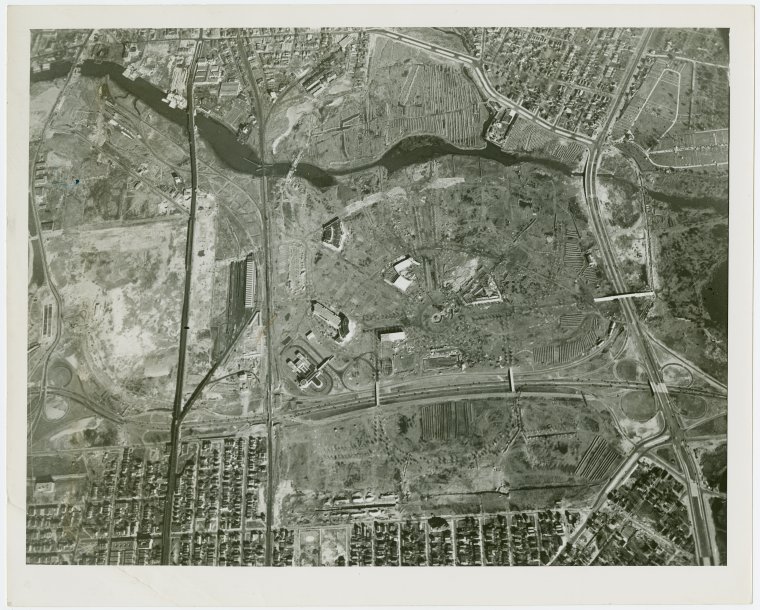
point(122, 338)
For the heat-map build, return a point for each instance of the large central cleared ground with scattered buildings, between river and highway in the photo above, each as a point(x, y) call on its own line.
point(524, 300)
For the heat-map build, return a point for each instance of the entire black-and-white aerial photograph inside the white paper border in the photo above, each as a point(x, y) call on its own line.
point(378, 297)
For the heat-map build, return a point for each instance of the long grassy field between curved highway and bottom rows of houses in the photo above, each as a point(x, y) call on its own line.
point(446, 456)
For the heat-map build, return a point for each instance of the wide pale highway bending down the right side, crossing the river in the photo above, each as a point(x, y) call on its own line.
point(638, 333)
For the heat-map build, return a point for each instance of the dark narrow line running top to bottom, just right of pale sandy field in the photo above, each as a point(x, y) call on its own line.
point(179, 390)
